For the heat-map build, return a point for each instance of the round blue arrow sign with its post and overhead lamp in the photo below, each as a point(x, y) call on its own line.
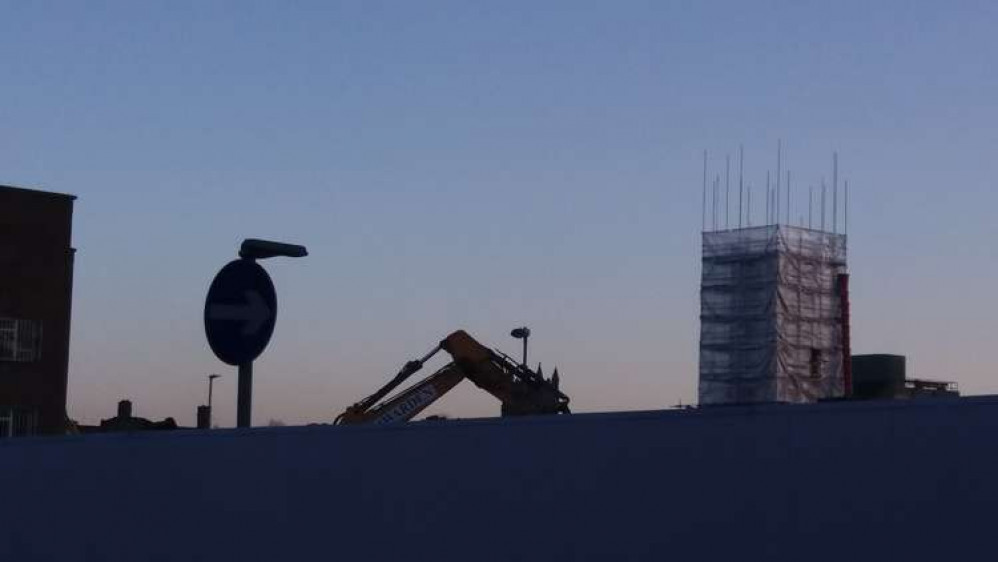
point(240, 313)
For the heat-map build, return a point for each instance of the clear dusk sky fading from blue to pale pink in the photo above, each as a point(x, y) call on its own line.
point(481, 166)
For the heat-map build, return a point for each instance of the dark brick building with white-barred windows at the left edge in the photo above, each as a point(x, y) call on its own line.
point(36, 290)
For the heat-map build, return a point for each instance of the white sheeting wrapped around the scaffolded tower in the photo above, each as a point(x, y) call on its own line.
point(770, 318)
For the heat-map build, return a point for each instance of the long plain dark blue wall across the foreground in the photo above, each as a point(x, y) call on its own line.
point(845, 481)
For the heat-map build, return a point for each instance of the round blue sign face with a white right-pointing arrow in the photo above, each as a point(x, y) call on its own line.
point(240, 312)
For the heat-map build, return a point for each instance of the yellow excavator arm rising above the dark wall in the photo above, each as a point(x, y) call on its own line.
point(520, 390)
